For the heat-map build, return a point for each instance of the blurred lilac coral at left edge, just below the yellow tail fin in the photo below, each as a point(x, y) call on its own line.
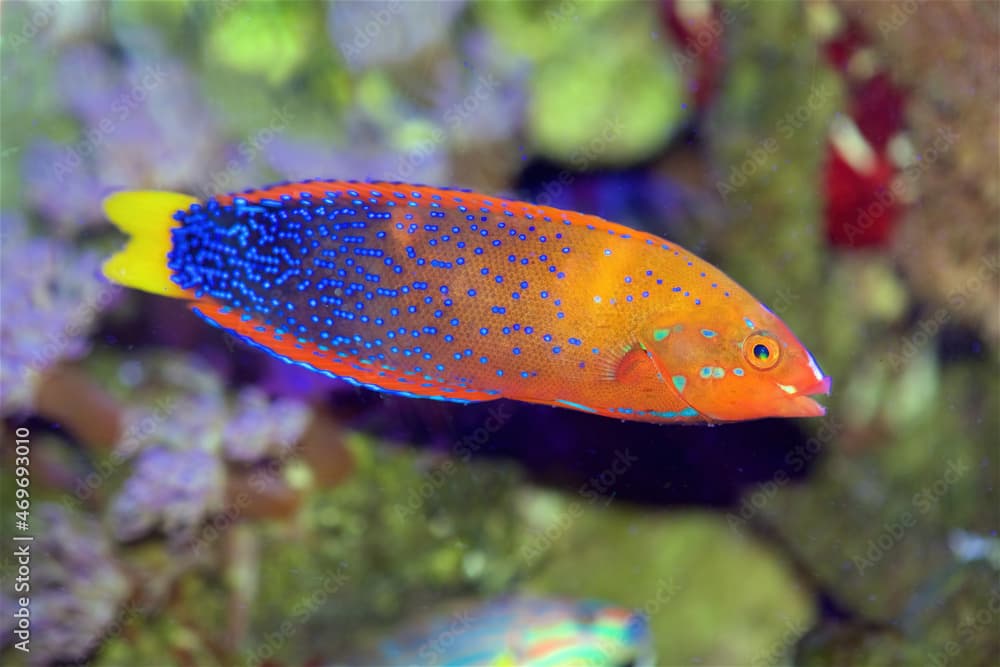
point(51, 297)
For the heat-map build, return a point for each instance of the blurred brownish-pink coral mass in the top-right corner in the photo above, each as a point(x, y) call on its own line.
point(955, 175)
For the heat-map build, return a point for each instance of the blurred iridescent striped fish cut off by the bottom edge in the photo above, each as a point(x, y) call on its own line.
point(518, 630)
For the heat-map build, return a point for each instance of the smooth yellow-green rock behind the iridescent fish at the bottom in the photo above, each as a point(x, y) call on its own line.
point(712, 594)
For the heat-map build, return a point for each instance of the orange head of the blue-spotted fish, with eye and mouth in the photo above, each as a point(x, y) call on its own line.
point(733, 360)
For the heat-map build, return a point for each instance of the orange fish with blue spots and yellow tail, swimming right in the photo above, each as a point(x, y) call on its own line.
point(458, 296)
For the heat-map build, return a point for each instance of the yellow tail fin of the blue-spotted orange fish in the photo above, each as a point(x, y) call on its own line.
point(147, 216)
